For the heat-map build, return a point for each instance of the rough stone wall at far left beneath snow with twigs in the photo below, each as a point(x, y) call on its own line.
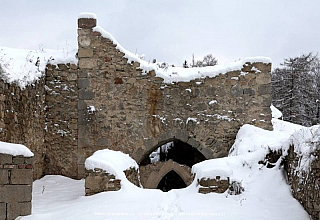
point(22, 119)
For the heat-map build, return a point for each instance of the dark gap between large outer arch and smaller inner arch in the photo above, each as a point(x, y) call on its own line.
point(177, 151)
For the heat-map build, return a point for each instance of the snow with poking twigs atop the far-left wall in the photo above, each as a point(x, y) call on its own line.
point(24, 67)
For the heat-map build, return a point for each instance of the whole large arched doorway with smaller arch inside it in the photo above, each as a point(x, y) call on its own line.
point(168, 166)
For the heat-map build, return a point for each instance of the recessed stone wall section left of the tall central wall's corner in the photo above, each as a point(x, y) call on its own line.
point(61, 120)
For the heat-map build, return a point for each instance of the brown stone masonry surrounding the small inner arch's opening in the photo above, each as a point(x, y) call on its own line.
point(151, 174)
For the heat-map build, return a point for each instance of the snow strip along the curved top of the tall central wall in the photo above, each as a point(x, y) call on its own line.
point(179, 74)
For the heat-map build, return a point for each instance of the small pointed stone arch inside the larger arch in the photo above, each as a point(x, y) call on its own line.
point(155, 177)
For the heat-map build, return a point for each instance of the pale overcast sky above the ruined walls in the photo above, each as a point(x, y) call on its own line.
point(171, 30)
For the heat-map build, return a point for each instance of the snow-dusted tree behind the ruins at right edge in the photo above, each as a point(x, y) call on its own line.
point(295, 90)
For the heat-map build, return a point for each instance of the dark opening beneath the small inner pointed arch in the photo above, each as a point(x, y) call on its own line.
point(170, 181)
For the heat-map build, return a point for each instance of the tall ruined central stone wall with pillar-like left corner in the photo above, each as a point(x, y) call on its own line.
point(134, 112)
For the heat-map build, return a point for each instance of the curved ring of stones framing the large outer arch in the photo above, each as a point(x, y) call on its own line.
point(153, 143)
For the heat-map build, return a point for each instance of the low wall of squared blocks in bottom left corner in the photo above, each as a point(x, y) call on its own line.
point(15, 186)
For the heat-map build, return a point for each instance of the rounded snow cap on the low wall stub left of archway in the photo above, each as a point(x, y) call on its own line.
point(113, 162)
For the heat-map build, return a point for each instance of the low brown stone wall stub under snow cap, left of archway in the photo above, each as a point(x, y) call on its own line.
point(99, 181)
